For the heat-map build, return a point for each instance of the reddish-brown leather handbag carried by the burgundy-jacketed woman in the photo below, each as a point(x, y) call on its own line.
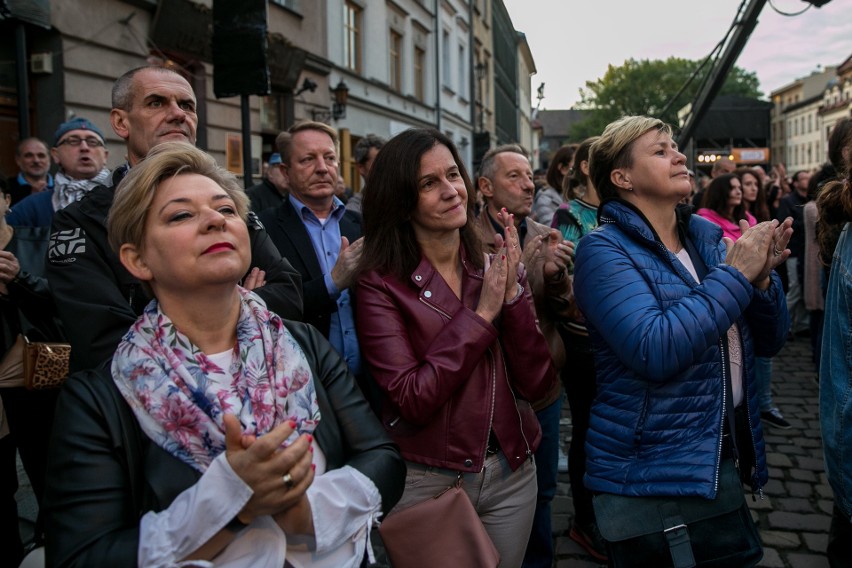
point(441, 531)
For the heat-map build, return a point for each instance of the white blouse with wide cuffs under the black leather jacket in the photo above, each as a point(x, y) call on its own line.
point(344, 504)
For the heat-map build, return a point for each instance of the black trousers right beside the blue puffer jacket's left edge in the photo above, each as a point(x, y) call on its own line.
point(578, 378)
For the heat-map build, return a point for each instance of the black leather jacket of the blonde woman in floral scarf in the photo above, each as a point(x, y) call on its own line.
point(108, 473)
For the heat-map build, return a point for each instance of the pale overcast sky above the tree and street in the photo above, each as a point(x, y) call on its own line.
point(573, 41)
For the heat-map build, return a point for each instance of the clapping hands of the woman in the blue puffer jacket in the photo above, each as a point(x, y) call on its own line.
point(760, 249)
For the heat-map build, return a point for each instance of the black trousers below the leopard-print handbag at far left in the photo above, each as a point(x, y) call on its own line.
point(30, 415)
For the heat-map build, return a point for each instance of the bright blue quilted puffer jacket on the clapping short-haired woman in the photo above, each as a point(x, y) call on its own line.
point(660, 339)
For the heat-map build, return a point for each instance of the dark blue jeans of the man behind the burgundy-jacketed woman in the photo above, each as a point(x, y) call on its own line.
point(540, 546)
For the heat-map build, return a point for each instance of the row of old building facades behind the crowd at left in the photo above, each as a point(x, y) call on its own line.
point(398, 64)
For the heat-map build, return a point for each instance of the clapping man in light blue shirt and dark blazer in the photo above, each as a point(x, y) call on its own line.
point(315, 232)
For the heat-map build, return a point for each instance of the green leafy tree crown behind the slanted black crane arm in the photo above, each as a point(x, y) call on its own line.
point(646, 87)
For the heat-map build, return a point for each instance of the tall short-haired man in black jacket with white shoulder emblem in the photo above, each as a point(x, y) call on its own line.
point(96, 297)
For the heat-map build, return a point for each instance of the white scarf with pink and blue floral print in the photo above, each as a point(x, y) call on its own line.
point(164, 378)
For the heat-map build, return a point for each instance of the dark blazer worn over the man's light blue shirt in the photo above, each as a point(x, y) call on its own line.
point(284, 226)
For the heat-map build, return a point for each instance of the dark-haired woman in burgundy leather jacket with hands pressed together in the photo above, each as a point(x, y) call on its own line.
point(451, 338)
